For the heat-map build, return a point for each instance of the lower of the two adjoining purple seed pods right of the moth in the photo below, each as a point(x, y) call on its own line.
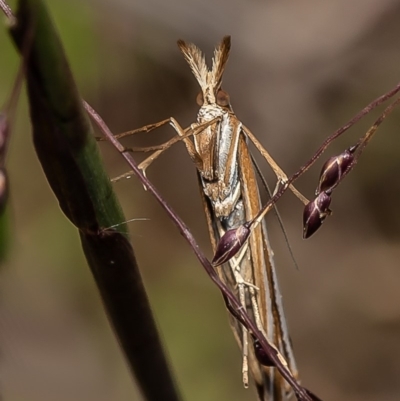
point(315, 212)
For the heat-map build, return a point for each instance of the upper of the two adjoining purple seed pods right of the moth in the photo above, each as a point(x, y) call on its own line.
point(332, 171)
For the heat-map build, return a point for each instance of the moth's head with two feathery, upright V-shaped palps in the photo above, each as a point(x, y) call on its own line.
point(210, 80)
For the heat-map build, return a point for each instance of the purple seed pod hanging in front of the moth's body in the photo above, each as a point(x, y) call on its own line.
point(230, 244)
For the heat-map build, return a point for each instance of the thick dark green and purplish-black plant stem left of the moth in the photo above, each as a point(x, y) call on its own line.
point(65, 145)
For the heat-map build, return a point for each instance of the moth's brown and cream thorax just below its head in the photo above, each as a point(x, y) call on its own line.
point(214, 144)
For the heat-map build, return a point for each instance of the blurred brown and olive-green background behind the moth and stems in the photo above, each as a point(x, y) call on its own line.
point(298, 70)
